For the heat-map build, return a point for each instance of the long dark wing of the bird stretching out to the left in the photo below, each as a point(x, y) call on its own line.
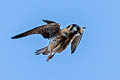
point(47, 31)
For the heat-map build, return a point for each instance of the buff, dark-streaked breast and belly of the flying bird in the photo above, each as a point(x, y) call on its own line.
point(59, 42)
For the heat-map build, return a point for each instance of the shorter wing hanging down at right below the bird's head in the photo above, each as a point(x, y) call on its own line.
point(75, 41)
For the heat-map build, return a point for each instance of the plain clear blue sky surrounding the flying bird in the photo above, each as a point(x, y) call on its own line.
point(96, 58)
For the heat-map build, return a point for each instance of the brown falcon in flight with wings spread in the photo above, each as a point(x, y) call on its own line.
point(58, 38)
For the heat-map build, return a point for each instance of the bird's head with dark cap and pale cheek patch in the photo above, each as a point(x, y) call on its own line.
point(75, 28)
